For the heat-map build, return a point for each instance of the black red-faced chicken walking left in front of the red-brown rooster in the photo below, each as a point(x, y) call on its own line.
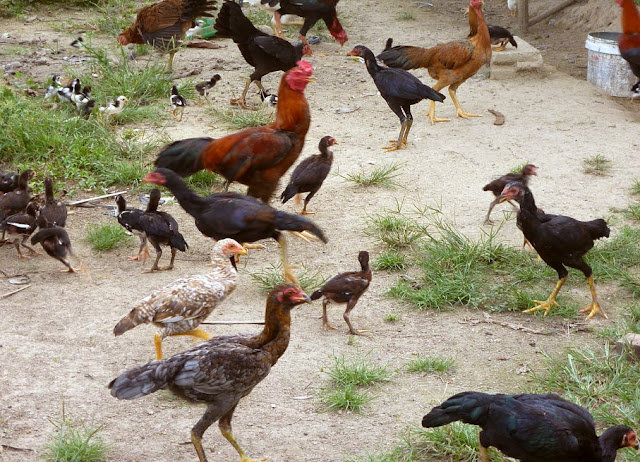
point(235, 216)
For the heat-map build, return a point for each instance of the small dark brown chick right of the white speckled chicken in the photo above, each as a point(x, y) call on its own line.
point(345, 288)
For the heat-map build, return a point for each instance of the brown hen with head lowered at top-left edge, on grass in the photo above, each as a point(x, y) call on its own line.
point(163, 24)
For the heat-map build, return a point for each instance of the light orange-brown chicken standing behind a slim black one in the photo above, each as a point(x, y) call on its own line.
point(451, 63)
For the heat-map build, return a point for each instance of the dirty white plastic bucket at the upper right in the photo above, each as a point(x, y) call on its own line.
point(605, 68)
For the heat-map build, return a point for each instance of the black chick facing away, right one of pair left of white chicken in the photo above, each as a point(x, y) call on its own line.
point(161, 228)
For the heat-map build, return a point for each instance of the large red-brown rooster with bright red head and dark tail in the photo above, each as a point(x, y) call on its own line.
point(256, 156)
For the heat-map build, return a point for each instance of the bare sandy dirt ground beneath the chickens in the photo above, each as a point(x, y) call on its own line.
point(56, 341)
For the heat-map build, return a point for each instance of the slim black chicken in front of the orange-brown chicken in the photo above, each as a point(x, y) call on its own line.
point(400, 89)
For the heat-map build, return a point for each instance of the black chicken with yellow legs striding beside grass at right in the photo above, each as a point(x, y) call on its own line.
point(560, 241)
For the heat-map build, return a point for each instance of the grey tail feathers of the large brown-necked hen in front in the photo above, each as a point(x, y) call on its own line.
point(144, 380)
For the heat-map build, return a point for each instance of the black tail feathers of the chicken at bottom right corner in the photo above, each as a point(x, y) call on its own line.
point(469, 407)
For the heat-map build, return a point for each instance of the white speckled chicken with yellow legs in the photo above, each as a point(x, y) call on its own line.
point(182, 305)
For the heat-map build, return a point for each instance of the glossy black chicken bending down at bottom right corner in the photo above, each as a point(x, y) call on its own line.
point(533, 428)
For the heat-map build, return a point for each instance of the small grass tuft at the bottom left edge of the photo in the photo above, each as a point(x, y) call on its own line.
point(75, 442)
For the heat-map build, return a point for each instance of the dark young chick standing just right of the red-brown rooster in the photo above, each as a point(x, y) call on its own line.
point(309, 175)
